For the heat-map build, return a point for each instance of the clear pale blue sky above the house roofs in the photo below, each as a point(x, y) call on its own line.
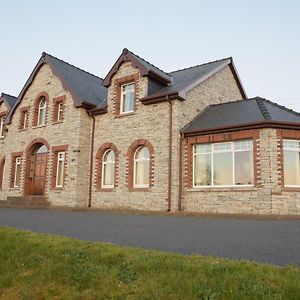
point(263, 37)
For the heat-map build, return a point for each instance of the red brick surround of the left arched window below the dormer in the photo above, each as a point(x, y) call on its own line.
point(99, 157)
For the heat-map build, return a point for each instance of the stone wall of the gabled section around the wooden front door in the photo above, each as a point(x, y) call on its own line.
point(74, 131)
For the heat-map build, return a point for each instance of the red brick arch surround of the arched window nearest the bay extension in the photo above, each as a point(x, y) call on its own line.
point(130, 160)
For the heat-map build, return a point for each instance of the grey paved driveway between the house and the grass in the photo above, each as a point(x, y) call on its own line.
point(276, 242)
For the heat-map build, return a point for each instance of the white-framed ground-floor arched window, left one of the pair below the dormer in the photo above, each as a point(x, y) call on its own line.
point(108, 169)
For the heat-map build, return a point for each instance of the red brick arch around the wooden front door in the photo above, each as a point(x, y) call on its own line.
point(29, 152)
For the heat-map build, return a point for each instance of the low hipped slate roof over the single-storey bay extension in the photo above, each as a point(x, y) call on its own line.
point(241, 113)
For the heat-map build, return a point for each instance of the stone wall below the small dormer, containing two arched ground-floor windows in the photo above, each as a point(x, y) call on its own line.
point(147, 122)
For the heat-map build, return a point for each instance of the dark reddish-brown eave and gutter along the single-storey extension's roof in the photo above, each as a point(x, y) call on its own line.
point(240, 127)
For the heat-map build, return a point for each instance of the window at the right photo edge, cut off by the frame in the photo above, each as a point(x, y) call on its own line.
point(291, 154)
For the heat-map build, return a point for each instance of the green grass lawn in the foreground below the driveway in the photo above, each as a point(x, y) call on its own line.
point(40, 266)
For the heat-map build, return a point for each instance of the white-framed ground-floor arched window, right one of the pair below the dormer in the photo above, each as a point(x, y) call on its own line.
point(141, 167)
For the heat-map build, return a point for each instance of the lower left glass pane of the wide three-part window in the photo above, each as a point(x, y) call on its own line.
point(202, 170)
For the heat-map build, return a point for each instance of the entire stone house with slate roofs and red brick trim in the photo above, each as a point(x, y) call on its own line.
point(145, 139)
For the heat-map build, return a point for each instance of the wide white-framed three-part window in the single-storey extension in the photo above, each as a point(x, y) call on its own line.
point(223, 164)
